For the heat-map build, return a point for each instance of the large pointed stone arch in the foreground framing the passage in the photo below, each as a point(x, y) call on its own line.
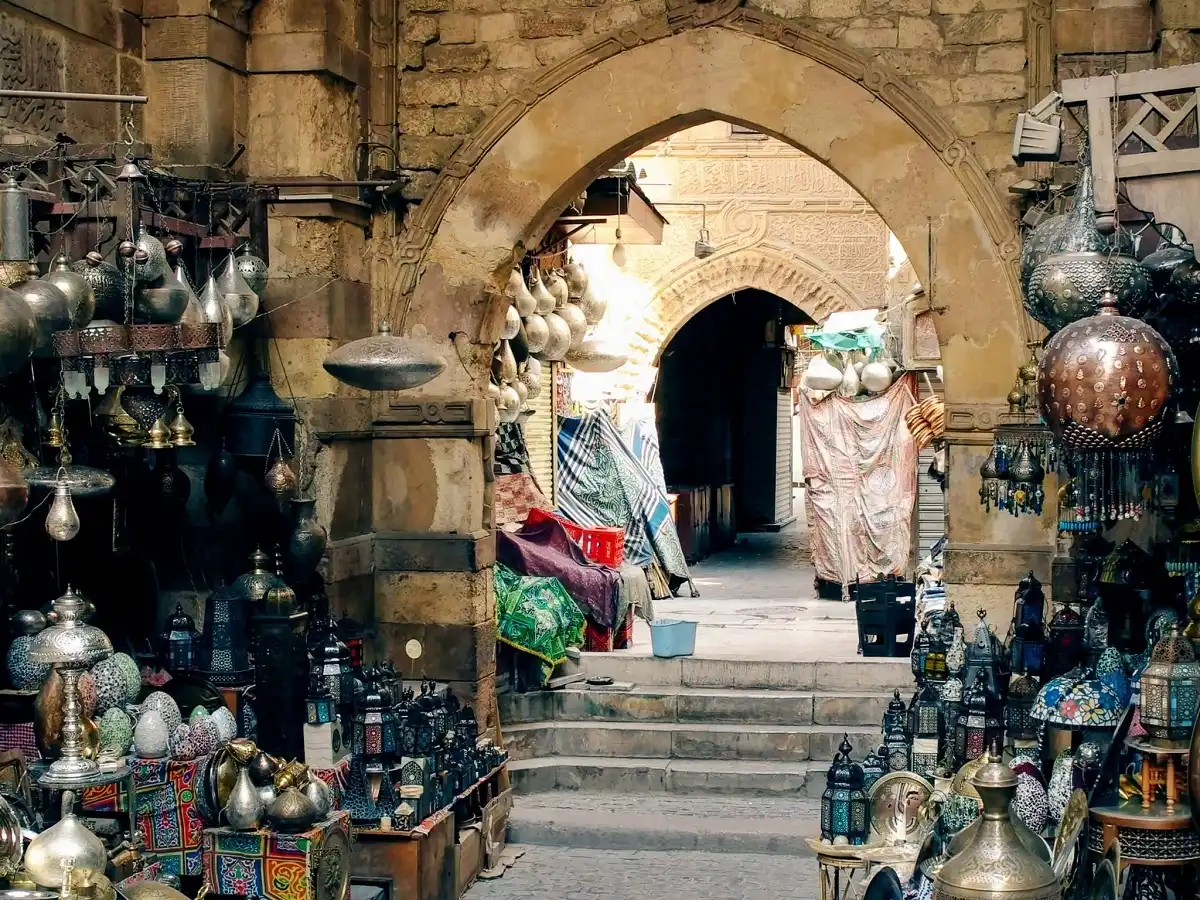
point(508, 183)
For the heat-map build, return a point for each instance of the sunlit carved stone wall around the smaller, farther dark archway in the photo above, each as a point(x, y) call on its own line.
point(778, 220)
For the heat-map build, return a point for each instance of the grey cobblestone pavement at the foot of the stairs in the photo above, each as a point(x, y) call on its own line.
point(567, 874)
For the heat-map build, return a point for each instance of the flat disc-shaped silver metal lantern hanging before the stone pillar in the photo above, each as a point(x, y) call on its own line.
point(386, 362)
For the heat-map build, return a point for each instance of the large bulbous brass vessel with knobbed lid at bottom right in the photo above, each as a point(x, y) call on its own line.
point(997, 863)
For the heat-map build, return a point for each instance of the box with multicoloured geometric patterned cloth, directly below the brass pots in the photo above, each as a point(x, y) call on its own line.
point(277, 867)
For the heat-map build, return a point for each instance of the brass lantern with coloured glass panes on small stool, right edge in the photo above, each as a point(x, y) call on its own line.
point(1169, 692)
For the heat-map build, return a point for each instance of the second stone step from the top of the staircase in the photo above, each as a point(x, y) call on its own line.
point(695, 705)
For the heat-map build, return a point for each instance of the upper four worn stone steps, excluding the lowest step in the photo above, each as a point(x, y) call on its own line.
point(698, 725)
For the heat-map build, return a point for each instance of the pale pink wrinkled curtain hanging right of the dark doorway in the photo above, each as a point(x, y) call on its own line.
point(861, 469)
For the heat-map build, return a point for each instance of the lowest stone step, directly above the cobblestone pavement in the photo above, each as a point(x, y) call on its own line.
point(667, 823)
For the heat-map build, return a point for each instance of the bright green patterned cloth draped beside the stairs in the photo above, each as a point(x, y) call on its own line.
point(536, 615)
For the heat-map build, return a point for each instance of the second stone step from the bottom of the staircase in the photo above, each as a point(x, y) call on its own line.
point(806, 779)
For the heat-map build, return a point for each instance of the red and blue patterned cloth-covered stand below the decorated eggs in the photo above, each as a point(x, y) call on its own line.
point(167, 818)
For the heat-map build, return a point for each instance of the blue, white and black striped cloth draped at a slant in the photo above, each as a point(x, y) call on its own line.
point(603, 483)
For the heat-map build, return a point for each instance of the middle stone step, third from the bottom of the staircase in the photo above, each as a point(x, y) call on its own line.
point(685, 741)
